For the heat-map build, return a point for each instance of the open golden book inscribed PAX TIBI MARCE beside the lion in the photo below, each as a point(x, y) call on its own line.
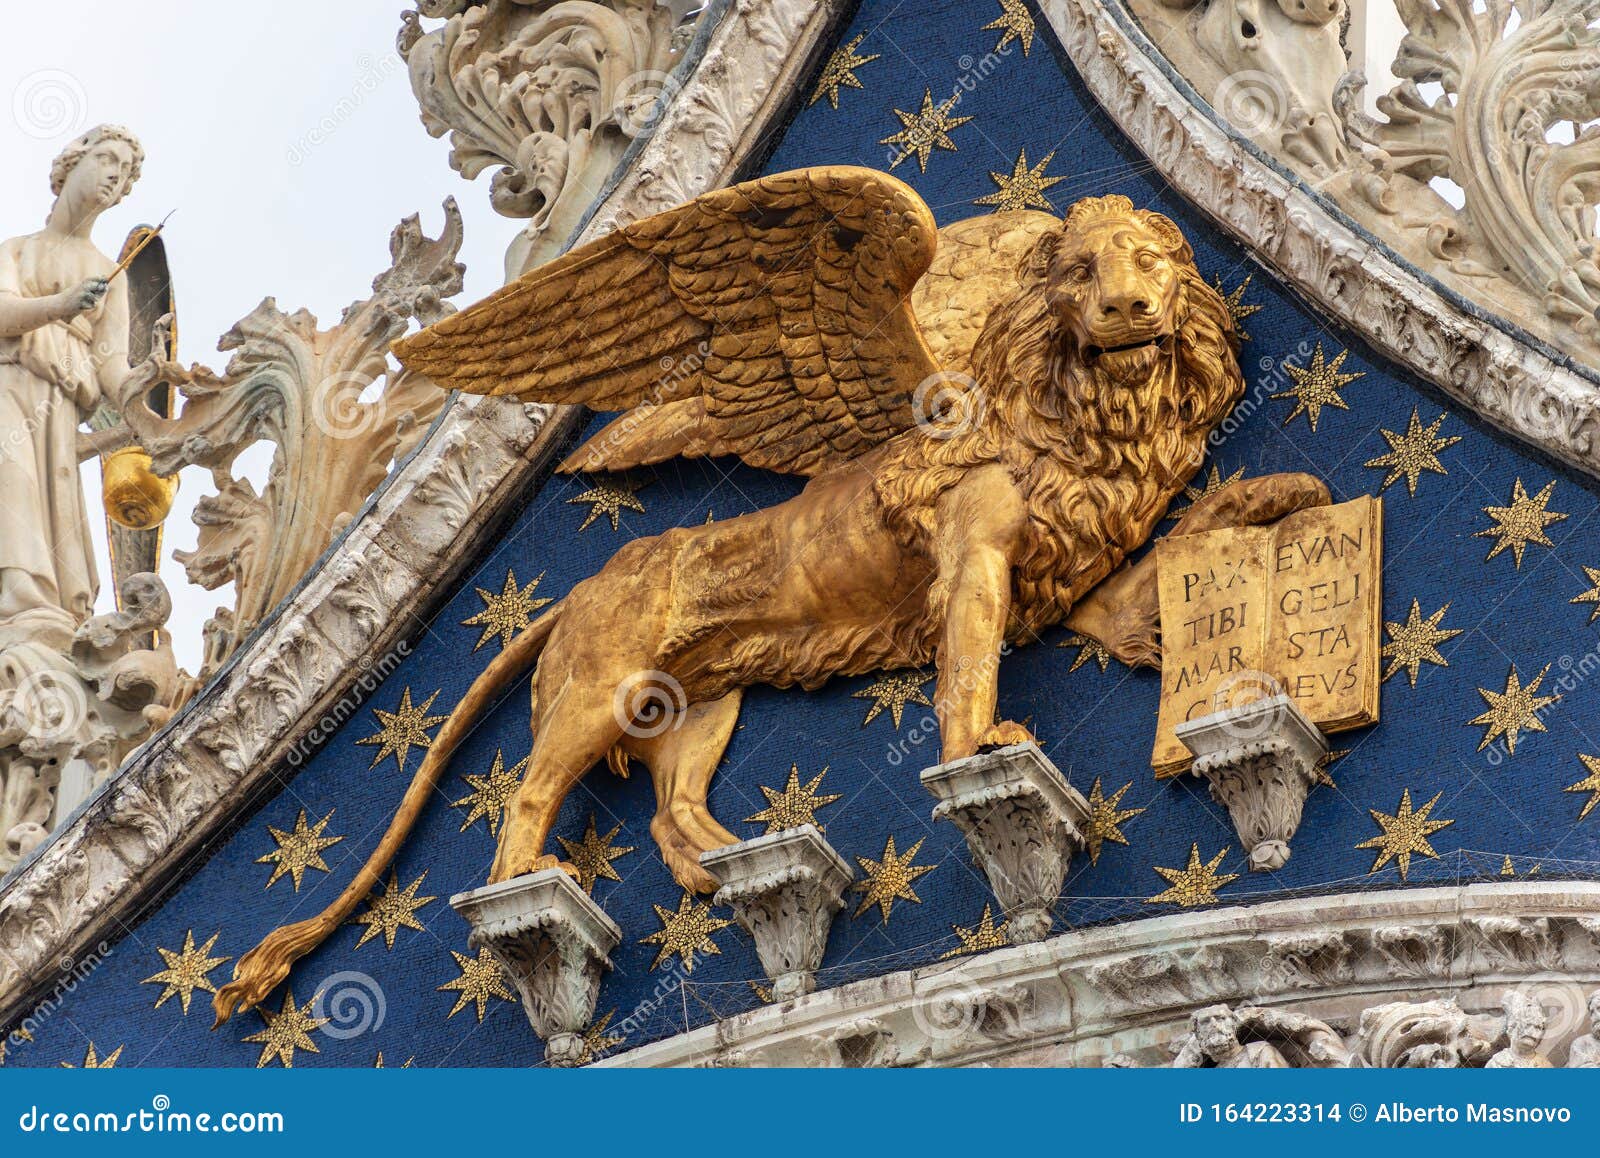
point(1250, 612)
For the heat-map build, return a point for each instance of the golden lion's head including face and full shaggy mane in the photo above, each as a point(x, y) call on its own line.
point(1103, 372)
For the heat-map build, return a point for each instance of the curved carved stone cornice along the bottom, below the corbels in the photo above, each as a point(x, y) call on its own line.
point(1129, 989)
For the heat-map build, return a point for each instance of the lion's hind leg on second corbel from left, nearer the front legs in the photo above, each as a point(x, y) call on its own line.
point(682, 759)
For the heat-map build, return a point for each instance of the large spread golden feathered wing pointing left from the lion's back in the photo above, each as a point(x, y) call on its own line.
point(770, 321)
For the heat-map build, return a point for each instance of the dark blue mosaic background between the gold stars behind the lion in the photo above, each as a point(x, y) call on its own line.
point(1094, 724)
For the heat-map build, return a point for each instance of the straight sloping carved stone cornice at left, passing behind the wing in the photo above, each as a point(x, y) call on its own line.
point(310, 666)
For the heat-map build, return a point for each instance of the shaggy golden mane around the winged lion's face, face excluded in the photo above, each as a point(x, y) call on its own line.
point(1097, 461)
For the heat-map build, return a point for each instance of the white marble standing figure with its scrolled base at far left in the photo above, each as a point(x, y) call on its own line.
point(76, 693)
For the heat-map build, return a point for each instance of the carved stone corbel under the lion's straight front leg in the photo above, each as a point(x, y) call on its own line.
point(1023, 823)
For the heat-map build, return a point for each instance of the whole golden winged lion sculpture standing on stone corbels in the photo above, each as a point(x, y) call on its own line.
point(991, 417)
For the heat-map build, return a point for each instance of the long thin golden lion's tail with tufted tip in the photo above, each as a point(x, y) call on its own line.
point(265, 967)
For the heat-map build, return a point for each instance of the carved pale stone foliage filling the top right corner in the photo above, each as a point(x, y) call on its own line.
point(1495, 98)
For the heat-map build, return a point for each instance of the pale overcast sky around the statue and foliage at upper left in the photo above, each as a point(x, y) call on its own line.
point(286, 137)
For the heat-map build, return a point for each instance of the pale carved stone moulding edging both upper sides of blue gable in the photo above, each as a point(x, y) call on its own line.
point(310, 666)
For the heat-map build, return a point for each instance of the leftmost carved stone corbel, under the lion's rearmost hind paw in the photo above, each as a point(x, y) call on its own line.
point(554, 943)
